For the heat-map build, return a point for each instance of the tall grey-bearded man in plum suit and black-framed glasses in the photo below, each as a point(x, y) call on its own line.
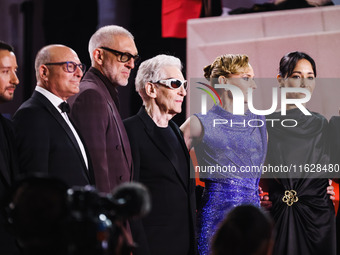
point(95, 110)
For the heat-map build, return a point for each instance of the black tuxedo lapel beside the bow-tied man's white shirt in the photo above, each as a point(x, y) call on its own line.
point(57, 116)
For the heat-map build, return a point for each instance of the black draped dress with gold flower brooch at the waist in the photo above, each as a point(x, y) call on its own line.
point(303, 213)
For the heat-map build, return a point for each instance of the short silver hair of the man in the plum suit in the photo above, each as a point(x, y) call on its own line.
point(105, 36)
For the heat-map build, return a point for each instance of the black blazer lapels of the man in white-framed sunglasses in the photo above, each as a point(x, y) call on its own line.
point(159, 141)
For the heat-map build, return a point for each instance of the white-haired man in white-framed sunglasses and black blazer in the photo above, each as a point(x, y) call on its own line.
point(161, 159)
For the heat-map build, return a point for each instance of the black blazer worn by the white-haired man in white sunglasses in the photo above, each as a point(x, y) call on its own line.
point(169, 228)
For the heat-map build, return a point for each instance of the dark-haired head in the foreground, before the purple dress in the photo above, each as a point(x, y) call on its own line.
point(246, 230)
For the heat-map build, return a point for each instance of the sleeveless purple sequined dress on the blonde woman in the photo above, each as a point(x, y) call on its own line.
point(230, 156)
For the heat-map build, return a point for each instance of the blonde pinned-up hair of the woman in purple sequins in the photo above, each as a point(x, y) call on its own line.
point(225, 65)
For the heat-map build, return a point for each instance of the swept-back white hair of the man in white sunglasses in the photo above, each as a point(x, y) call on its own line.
point(152, 70)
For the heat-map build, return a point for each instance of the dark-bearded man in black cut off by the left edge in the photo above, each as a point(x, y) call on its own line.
point(8, 156)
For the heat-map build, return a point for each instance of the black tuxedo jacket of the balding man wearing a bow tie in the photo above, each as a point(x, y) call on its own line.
point(46, 143)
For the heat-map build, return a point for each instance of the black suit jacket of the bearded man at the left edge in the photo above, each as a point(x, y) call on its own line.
point(8, 173)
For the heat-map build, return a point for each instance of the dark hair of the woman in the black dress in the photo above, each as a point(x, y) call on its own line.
point(289, 61)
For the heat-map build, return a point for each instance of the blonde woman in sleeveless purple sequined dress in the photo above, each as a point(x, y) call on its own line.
point(226, 146)
